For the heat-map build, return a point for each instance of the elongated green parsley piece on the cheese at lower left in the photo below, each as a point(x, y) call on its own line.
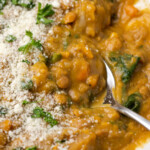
point(40, 113)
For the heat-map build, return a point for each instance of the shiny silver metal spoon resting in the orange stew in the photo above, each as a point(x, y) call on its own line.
point(109, 99)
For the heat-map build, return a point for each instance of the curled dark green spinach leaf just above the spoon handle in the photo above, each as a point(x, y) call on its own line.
point(133, 102)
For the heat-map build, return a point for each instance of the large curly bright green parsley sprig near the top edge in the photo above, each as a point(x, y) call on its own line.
point(44, 13)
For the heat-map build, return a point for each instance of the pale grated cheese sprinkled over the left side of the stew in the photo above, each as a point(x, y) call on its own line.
point(16, 20)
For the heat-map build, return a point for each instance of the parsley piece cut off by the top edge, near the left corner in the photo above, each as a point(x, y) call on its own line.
point(28, 5)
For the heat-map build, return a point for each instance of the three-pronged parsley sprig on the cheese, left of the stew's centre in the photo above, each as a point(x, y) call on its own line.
point(32, 44)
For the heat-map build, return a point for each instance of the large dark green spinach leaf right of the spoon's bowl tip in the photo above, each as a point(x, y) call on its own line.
point(126, 64)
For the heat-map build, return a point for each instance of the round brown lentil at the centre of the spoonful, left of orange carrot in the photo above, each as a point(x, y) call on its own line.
point(63, 82)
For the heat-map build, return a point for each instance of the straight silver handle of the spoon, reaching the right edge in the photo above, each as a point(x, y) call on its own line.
point(133, 115)
